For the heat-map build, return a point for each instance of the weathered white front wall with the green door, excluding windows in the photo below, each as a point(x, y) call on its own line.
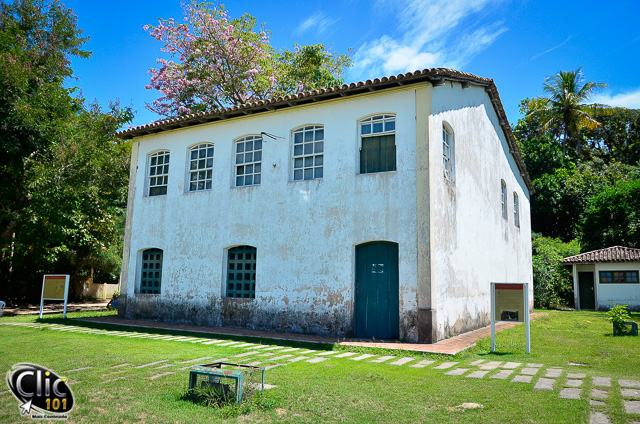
point(305, 232)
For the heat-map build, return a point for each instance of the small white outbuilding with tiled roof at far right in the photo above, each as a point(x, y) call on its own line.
point(606, 277)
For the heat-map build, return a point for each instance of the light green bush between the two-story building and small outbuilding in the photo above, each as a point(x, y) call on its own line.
point(552, 281)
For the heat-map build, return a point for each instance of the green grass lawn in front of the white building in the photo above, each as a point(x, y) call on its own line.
point(336, 390)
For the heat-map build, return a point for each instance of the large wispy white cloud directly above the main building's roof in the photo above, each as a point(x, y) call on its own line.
point(430, 35)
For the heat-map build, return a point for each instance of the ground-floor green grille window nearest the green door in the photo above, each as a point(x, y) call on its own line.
point(241, 272)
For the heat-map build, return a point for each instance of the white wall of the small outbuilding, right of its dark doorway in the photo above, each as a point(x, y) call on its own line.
point(608, 295)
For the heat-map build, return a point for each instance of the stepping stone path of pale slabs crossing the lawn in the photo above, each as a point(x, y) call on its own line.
point(540, 377)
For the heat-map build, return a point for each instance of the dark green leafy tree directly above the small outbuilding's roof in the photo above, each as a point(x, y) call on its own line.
point(612, 217)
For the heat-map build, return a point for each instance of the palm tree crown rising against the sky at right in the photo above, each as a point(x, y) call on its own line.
point(563, 111)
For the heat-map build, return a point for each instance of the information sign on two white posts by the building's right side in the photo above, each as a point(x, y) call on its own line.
point(510, 303)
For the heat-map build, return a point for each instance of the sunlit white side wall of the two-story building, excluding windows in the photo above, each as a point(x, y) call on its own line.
point(472, 245)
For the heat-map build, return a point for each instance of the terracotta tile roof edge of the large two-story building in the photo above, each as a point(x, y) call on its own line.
point(433, 75)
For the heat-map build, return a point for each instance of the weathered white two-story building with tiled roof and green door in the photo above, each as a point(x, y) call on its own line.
point(378, 209)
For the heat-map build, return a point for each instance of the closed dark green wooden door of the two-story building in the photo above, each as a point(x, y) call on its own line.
point(377, 294)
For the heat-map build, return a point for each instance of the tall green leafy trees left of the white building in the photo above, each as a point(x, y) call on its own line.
point(63, 173)
